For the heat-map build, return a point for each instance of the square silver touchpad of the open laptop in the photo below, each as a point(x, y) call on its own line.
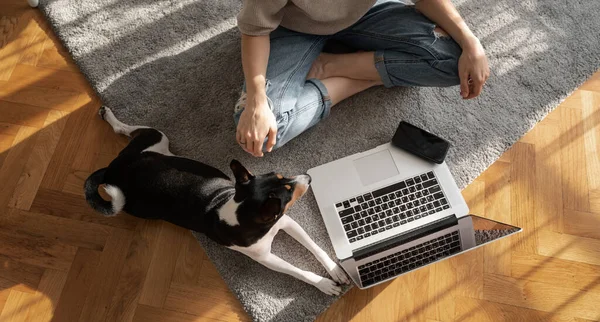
point(376, 167)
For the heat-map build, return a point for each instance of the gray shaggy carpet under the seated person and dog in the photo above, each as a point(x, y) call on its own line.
point(175, 65)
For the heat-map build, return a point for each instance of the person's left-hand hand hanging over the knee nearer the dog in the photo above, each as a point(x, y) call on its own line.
point(257, 122)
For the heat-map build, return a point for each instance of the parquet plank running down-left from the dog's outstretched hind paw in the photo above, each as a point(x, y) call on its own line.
point(70, 141)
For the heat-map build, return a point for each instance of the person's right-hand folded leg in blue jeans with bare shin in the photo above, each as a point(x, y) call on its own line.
point(401, 47)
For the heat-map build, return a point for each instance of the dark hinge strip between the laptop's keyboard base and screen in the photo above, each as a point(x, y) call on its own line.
point(405, 237)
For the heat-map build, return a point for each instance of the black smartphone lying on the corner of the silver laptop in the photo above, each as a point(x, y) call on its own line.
point(420, 143)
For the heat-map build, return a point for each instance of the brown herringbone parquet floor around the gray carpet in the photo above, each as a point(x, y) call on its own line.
point(59, 260)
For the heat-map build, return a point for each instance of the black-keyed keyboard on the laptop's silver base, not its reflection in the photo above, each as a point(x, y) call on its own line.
point(397, 204)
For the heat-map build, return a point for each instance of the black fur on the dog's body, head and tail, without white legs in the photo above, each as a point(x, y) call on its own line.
point(190, 194)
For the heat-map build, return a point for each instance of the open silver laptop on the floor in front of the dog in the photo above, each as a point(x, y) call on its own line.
point(388, 212)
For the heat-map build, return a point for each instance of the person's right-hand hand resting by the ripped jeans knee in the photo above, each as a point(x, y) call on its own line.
point(473, 69)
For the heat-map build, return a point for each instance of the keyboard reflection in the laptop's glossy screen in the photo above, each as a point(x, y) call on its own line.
point(409, 259)
